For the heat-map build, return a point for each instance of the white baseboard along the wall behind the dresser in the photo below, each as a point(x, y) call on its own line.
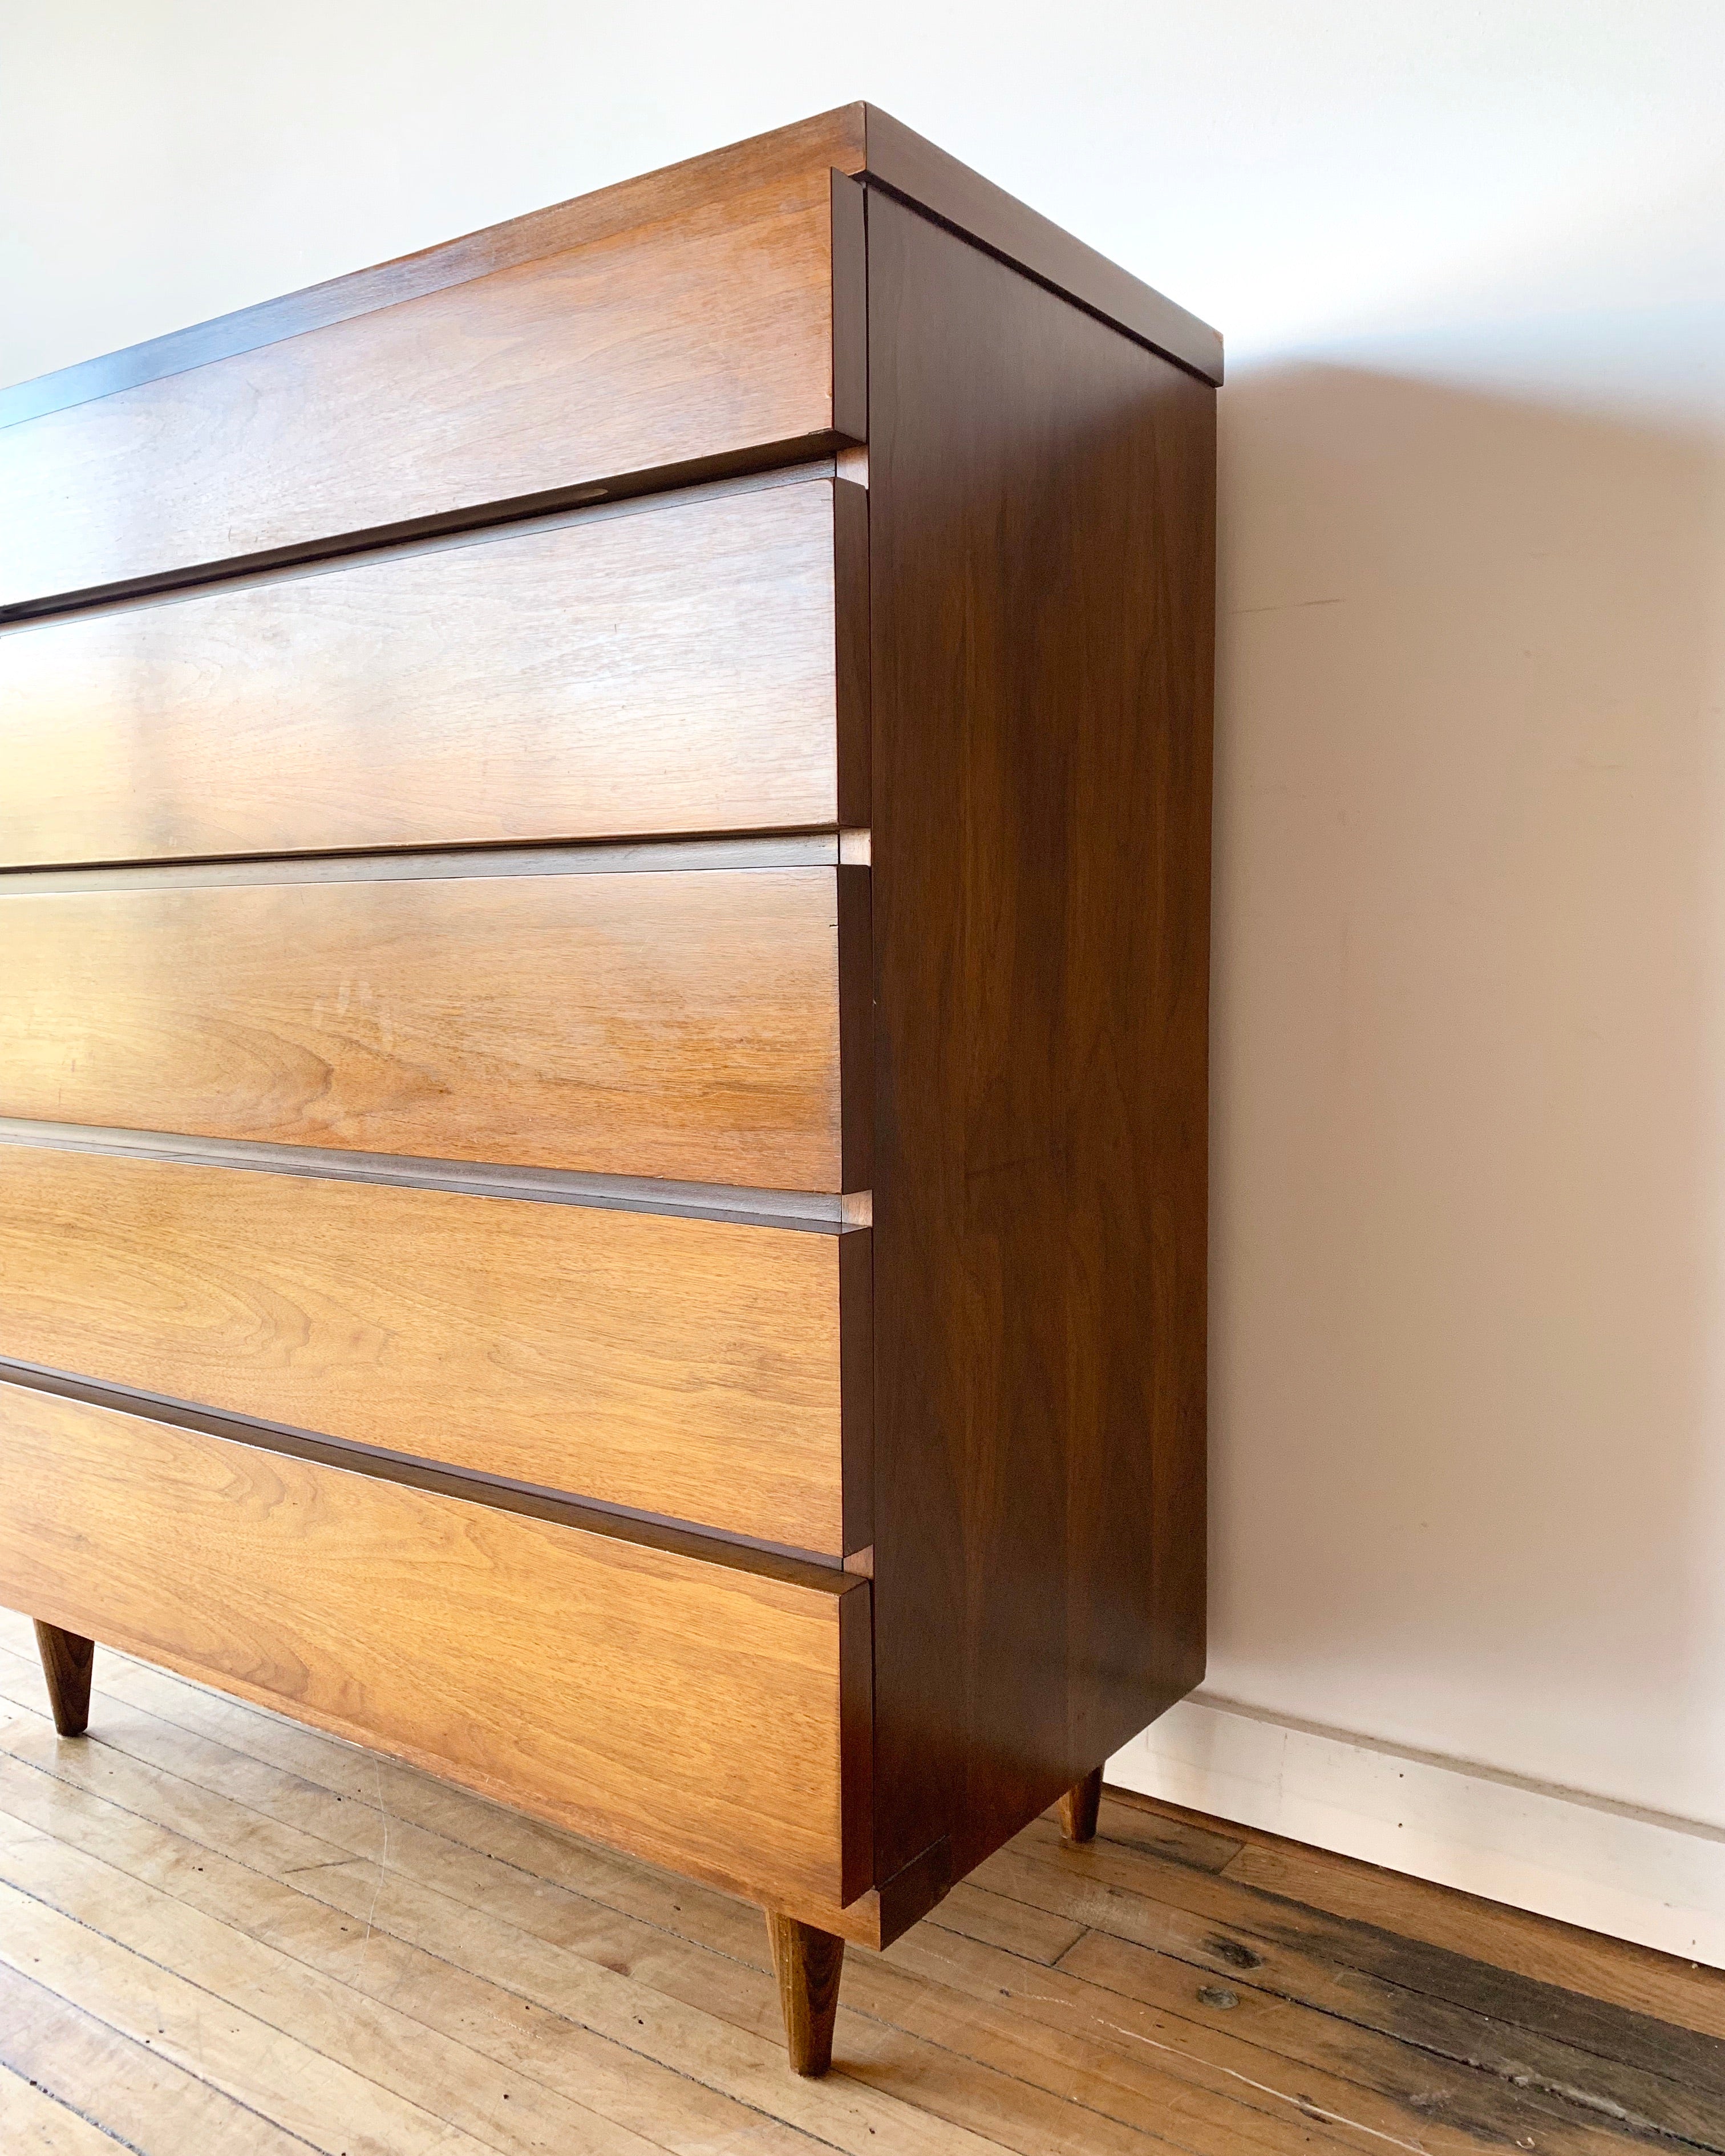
point(1558, 1853)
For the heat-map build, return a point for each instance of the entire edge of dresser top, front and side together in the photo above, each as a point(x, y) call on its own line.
point(851, 139)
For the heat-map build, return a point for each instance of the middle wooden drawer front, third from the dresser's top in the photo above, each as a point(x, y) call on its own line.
point(667, 1025)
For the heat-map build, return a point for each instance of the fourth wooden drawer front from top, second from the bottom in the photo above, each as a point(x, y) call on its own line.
point(672, 1366)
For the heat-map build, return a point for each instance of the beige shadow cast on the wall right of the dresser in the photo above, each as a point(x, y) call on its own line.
point(1469, 1081)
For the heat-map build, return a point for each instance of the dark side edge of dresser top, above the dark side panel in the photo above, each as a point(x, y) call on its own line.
point(997, 221)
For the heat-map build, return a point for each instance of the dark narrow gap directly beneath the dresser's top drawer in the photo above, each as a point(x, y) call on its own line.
point(478, 519)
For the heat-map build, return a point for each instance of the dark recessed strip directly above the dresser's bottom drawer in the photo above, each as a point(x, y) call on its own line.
point(797, 1568)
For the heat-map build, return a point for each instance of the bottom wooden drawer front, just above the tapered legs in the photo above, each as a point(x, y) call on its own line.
point(691, 1713)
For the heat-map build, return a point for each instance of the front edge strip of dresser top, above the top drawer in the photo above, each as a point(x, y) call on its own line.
point(581, 221)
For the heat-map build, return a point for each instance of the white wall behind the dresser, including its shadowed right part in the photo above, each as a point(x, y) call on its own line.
point(1469, 1193)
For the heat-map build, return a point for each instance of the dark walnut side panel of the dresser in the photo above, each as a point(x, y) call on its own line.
point(1040, 915)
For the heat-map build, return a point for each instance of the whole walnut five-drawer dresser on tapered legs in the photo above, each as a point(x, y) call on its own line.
point(605, 879)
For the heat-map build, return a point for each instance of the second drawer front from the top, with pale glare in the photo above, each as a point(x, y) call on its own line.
point(618, 676)
